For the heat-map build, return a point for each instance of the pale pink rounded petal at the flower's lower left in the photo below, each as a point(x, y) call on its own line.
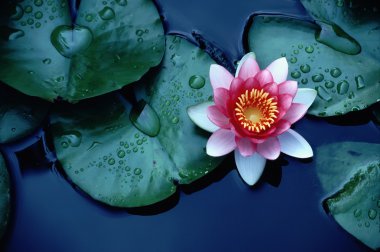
point(221, 143)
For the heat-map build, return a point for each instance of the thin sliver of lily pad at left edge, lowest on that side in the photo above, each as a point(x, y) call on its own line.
point(4, 196)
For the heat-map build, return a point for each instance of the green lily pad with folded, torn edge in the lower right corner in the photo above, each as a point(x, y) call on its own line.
point(350, 172)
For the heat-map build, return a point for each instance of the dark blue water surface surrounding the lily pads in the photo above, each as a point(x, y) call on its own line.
point(218, 213)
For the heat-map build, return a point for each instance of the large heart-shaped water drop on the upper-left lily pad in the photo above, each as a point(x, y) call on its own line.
point(70, 41)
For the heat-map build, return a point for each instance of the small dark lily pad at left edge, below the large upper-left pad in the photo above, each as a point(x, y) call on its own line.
point(20, 115)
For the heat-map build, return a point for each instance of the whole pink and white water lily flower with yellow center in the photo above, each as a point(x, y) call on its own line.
point(252, 114)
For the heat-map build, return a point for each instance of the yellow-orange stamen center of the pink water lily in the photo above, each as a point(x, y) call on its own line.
point(255, 110)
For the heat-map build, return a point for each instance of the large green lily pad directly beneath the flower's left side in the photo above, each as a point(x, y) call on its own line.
point(128, 163)
